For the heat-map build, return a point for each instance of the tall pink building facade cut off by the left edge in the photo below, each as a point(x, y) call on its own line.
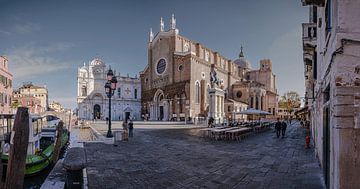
point(5, 86)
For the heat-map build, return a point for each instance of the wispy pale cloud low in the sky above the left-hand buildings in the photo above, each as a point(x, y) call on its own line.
point(31, 61)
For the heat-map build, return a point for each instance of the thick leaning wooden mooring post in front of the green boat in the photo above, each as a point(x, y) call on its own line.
point(18, 150)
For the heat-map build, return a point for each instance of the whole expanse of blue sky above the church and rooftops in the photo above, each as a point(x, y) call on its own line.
point(46, 41)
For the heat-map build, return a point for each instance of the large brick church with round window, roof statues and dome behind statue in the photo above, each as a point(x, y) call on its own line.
point(176, 81)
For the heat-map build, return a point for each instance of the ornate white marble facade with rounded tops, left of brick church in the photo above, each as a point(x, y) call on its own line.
point(92, 100)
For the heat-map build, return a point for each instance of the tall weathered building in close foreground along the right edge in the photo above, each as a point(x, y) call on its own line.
point(331, 52)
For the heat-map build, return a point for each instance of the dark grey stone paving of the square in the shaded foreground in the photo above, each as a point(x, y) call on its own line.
point(178, 158)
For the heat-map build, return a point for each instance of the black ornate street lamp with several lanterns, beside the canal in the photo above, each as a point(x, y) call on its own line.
point(110, 87)
